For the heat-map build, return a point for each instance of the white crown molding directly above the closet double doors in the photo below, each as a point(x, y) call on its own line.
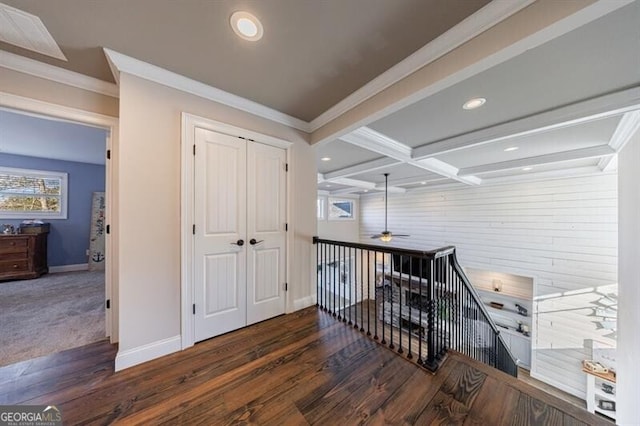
point(122, 63)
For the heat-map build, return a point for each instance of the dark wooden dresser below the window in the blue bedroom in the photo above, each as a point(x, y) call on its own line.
point(23, 256)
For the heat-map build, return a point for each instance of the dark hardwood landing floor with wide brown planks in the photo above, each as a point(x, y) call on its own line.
point(302, 368)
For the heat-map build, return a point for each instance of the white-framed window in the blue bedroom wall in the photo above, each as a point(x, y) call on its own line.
point(32, 194)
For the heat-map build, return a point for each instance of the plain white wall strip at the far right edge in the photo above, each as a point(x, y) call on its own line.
point(628, 392)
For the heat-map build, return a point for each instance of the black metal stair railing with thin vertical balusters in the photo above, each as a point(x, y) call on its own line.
point(418, 303)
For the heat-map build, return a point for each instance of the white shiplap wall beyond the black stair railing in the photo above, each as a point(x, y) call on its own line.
point(561, 232)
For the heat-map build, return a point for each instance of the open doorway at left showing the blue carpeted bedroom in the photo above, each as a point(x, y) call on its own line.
point(66, 301)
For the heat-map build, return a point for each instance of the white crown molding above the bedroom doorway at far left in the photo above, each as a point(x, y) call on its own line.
point(59, 75)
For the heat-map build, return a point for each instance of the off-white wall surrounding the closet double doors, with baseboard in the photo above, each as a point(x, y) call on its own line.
point(149, 212)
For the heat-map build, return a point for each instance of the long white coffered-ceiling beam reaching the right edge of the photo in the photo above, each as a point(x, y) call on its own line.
point(580, 112)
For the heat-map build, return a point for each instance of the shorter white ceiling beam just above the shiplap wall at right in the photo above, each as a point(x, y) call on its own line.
point(556, 157)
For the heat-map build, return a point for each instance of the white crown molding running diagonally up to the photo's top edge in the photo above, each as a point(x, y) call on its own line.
point(480, 21)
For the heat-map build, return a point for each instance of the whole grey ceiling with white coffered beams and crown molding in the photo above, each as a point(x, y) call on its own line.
point(379, 85)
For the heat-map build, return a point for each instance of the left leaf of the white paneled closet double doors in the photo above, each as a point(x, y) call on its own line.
point(220, 217)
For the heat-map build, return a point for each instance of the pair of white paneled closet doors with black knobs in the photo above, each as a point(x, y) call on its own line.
point(240, 239)
